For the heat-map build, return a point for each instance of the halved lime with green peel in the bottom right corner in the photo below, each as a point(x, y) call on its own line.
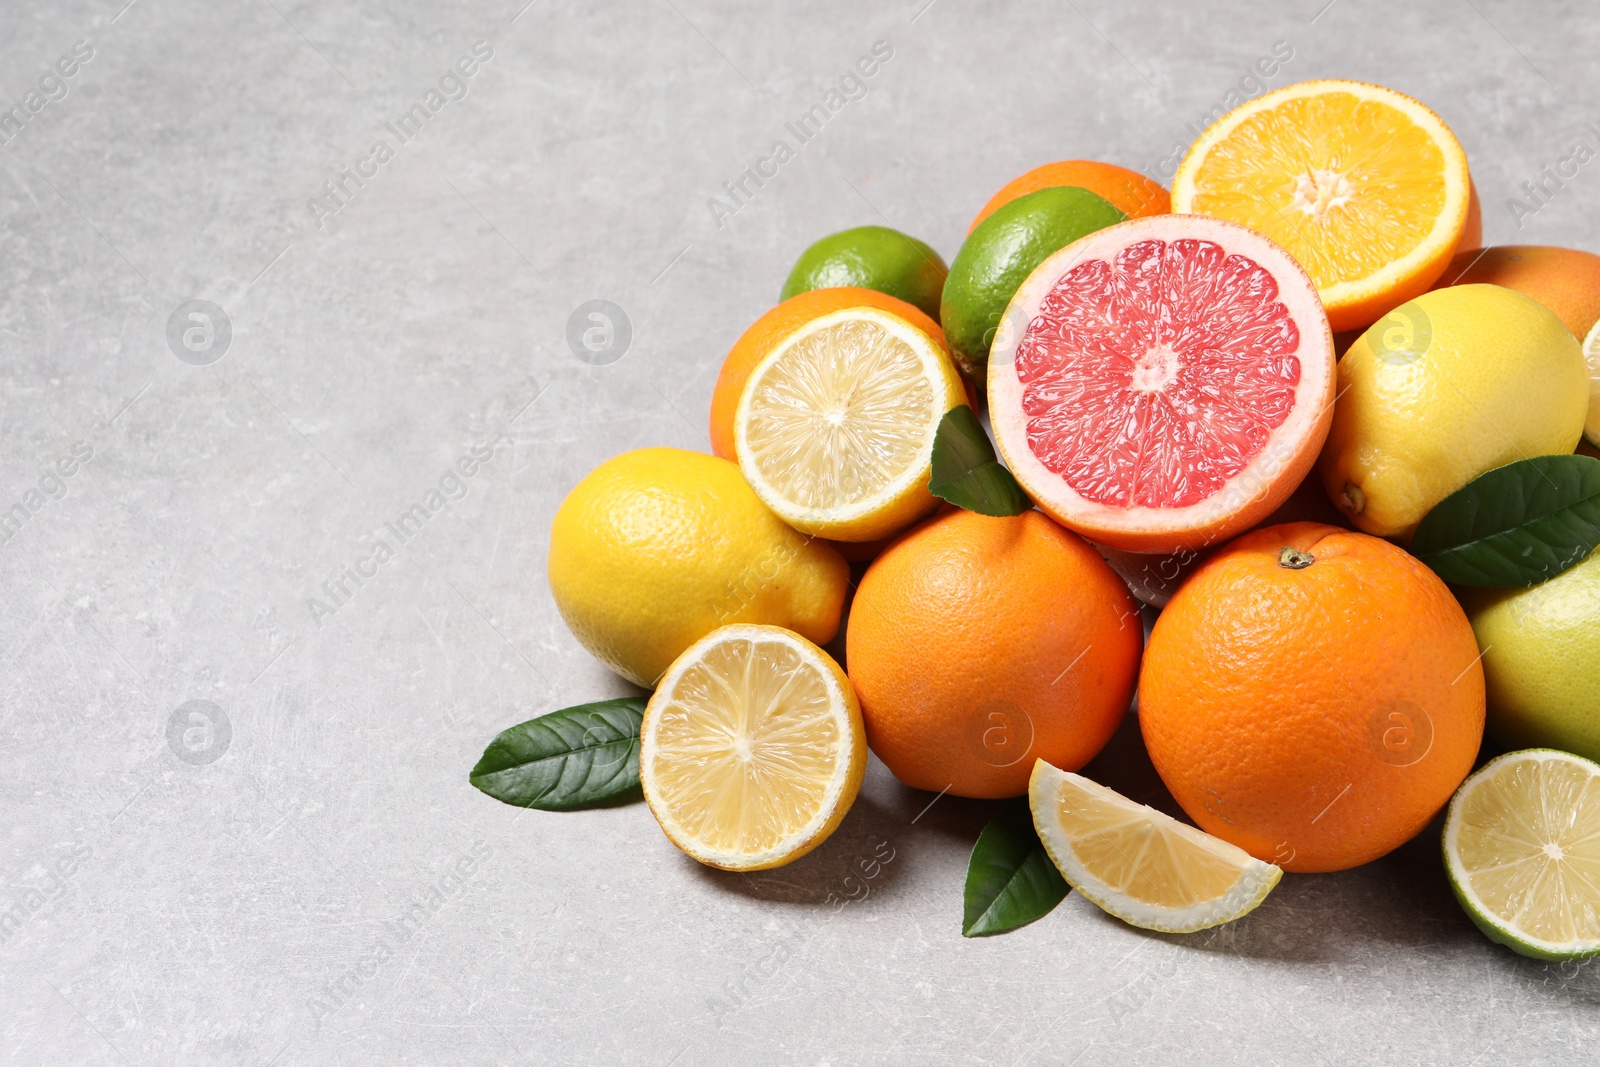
point(1522, 849)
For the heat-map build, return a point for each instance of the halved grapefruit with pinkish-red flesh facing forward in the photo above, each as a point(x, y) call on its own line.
point(1162, 385)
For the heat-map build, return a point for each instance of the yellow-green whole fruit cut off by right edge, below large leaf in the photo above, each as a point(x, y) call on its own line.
point(1542, 661)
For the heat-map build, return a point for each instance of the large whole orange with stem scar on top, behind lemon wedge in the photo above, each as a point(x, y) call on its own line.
point(1313, 695)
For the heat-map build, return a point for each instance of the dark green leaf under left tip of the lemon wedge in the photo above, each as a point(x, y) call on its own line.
point(1010, 879)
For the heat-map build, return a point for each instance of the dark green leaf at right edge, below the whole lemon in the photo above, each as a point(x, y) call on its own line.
point(1516, 526)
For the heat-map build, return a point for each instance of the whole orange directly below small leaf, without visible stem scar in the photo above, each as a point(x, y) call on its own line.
point(978, 645)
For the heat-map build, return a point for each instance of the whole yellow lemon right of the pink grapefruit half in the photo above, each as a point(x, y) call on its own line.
point(1442, 390)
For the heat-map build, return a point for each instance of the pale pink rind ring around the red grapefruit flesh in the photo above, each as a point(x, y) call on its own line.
point(1279, 466)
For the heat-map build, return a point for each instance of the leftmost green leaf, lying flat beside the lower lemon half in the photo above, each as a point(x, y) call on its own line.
point(578, 757)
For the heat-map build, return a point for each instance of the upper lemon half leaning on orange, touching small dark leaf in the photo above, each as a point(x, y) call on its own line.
point(836, 426)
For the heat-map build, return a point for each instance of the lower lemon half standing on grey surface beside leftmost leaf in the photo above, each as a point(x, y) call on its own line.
point(753, 748)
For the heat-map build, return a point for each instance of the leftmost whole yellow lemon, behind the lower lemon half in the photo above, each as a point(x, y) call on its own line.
point(658, 548)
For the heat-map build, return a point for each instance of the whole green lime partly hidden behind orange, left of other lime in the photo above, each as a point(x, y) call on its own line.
point(873, 258)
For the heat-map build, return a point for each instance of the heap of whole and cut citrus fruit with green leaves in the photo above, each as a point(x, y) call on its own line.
point(1281, 457)
